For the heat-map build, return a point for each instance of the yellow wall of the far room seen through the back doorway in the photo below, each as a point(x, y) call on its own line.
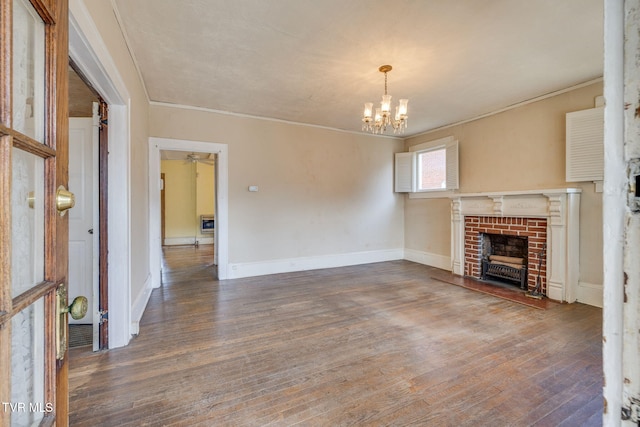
point(189, 193)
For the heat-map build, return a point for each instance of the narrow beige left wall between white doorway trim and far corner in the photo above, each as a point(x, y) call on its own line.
point(104, 18)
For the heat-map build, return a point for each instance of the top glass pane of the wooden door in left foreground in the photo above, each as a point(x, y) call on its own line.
point(28, 71)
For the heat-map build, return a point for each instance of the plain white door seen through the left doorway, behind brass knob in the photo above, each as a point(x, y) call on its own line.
point(82, 228)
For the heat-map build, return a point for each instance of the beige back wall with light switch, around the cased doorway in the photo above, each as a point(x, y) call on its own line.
point(321, 192)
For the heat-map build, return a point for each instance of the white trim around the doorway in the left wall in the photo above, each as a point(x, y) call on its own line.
point(89, 53)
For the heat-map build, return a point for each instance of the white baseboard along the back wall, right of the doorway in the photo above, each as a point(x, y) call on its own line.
point(260, 268)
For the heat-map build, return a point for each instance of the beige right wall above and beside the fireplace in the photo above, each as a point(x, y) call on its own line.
point(519, 149)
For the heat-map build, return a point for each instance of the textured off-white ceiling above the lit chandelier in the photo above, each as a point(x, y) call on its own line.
point(316, 62)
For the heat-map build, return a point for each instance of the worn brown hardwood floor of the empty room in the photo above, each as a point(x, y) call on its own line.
point(378, 344)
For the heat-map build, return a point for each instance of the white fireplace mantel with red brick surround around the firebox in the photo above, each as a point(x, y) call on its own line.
point(548, 217)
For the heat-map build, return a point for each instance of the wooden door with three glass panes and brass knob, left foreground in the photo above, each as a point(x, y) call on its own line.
point(33, 199)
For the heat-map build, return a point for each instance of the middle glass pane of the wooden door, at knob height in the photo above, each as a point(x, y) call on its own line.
point(27, 217)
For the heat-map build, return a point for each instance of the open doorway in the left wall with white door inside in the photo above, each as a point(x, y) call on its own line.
point(88, 237)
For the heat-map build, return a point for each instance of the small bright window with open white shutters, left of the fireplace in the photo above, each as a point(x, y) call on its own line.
point(428, 167)
